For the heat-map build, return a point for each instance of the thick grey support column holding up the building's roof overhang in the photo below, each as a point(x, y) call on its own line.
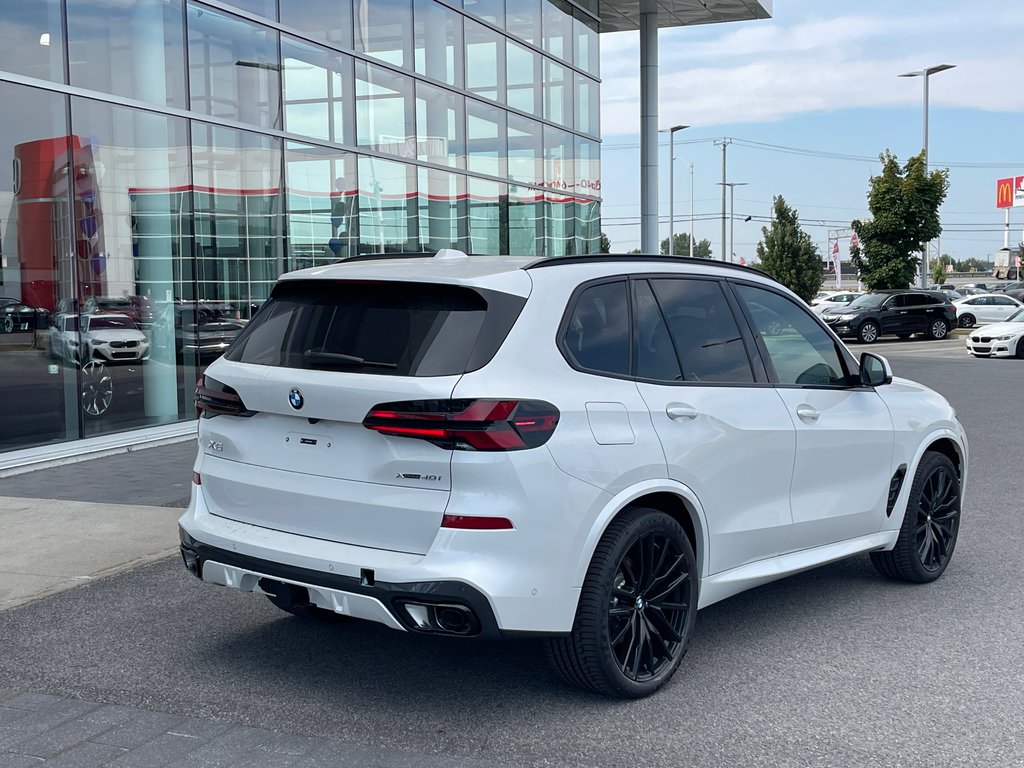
point(649, 127)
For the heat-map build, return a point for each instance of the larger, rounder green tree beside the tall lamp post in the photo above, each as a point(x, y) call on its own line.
point(905, 204)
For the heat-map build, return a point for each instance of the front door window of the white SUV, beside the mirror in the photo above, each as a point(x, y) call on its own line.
point(803, 354)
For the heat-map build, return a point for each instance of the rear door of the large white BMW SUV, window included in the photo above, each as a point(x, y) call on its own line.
point(727, 436)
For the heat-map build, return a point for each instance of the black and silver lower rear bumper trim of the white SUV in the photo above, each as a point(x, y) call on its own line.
point(360, 598)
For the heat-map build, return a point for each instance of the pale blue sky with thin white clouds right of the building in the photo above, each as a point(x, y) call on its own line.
point(822, 76)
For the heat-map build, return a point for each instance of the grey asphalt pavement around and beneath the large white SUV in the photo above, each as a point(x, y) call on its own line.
point(836, 667)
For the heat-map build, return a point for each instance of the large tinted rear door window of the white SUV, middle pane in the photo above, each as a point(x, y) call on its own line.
point(704, 331)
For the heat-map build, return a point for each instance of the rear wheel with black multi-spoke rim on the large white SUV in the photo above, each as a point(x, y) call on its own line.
point(636, 611)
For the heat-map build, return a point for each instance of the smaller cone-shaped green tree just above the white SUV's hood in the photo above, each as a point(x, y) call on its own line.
point(789, 254)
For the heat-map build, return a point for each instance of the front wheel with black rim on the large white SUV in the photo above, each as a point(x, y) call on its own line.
point(931, 525)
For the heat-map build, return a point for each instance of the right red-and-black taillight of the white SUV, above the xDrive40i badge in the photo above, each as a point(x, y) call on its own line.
point(468, 424)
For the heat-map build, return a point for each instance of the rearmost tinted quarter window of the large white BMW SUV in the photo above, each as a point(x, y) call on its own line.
point(598, 337)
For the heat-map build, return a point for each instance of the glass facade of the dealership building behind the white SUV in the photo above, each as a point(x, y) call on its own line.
point(164, 161)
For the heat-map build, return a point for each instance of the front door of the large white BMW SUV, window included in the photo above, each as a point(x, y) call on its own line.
point(844, 432)
